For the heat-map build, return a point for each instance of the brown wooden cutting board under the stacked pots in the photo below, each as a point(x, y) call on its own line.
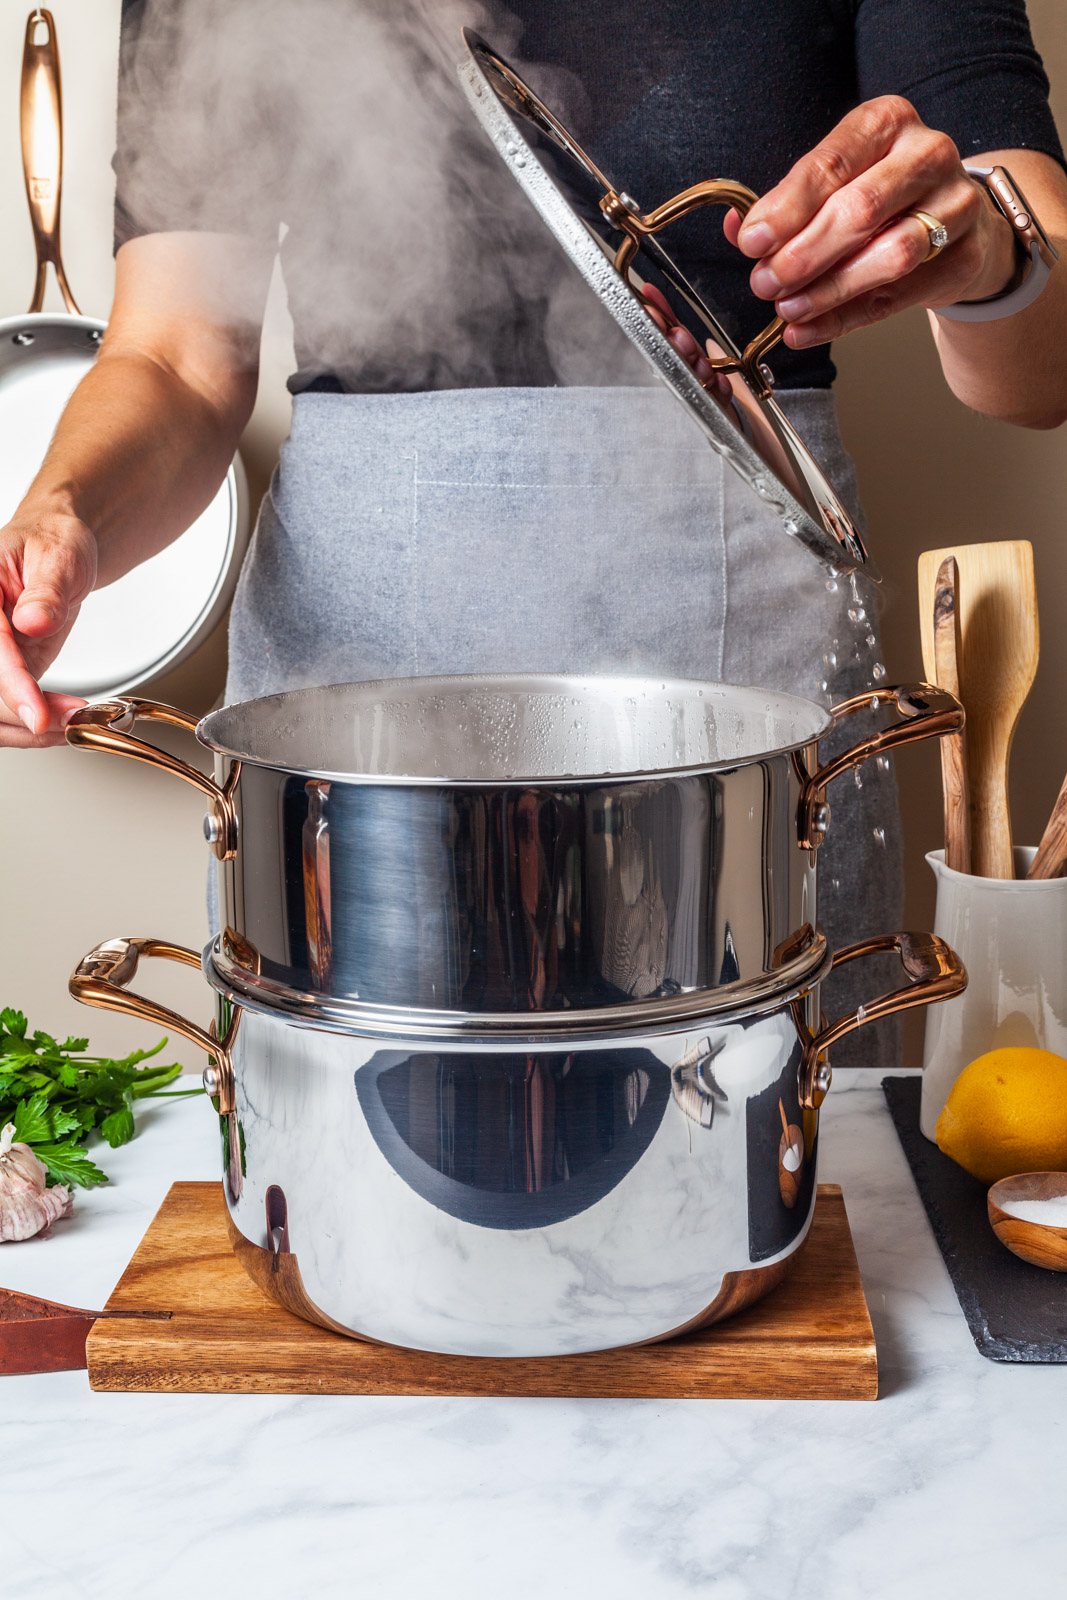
point(810, 1340)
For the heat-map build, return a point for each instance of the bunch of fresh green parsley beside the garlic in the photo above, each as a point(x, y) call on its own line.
point(58, 1095)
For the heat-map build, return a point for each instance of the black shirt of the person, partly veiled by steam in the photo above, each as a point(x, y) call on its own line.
point(412, 262)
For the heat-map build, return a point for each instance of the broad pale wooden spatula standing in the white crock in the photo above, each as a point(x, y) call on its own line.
point(999, 636)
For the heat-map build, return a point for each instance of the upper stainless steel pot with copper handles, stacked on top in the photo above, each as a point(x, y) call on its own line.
point(494, 847)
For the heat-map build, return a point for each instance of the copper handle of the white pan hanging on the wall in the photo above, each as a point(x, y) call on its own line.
point(42, 150)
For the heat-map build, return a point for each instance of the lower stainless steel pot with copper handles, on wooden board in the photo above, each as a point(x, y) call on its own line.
point(518, 1196)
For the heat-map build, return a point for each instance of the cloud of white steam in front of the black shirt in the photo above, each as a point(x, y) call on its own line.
point(410, 257)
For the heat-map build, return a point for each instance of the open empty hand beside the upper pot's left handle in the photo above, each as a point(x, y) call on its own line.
point(47, 569)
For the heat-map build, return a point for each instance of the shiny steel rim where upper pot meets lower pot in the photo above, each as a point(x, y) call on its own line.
point(674, 1015)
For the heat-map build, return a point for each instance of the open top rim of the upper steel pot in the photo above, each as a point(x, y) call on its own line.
point(516, 682)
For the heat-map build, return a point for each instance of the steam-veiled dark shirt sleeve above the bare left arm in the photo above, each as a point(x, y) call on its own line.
point(185, 127)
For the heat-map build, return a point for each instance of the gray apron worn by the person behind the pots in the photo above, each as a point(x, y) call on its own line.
point(567, 530)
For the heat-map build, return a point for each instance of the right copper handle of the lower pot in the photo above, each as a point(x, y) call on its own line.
point(935, 974)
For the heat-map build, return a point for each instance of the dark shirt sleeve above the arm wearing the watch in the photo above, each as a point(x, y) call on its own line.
point(969, 68)
